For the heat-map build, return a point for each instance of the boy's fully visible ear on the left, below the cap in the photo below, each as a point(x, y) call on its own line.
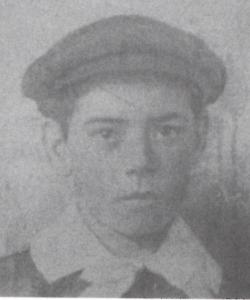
point(56, 149)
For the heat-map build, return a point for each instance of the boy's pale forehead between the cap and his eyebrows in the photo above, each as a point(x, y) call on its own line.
point(139, 98)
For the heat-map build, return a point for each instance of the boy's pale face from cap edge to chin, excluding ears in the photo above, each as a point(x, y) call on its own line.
point(132, 147)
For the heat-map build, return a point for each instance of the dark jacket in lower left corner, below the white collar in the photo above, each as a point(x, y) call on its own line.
point(20, 277)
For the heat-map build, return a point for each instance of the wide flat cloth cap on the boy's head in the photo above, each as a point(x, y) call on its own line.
point(125, 44)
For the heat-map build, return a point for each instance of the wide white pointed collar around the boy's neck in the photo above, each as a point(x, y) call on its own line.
point(68, 246)
